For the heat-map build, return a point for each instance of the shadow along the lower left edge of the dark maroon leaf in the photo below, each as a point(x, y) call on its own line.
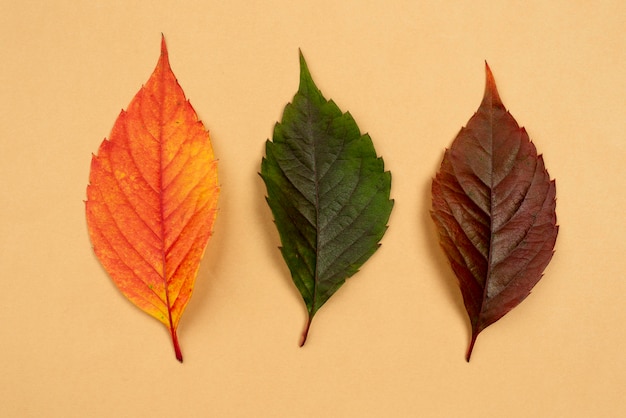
point(435, 253)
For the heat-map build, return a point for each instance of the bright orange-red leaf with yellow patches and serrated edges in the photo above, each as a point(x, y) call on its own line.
point(152, 198)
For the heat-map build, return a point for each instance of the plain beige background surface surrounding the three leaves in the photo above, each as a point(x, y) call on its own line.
point(391, 342)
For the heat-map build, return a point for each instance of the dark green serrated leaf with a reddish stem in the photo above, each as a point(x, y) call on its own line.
point(328, 192)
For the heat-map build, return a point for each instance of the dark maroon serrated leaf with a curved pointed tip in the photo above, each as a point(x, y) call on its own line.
point(494, 206)
